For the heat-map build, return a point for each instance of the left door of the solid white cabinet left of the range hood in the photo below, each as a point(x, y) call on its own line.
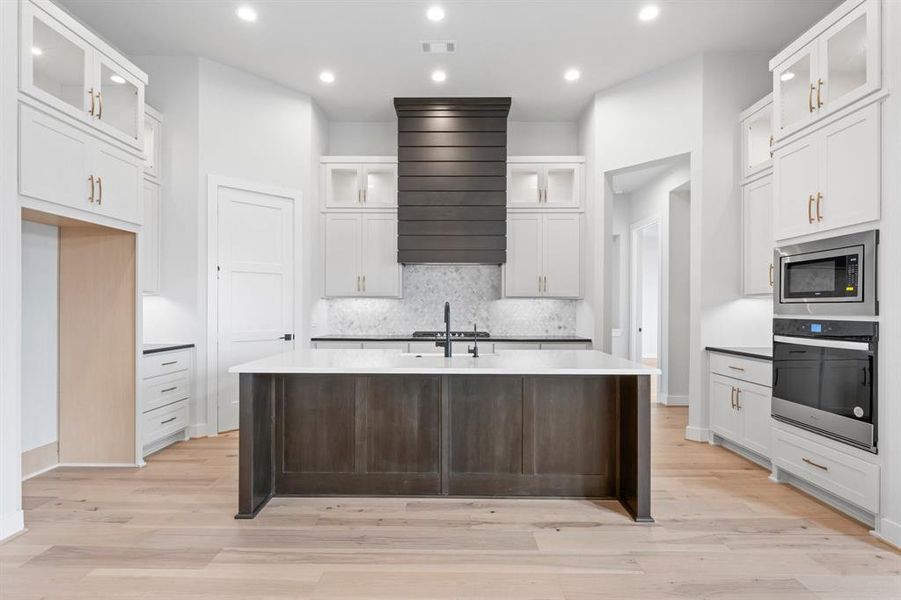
point(342, 255)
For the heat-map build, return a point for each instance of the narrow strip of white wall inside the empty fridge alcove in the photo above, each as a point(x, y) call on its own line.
point(40, 335)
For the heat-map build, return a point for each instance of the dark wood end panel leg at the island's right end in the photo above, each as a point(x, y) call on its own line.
point(634, 481)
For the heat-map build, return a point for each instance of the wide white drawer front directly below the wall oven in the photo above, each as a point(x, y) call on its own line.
point(845, 476)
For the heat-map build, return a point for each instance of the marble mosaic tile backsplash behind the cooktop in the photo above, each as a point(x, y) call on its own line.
point(474, 292)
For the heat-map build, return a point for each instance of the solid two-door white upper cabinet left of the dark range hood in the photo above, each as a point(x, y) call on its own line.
point(360, 255)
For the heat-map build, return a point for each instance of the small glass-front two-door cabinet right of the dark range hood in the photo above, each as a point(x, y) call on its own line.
point(544, 182)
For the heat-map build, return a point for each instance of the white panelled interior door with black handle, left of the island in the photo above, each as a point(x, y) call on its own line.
point(255, 285)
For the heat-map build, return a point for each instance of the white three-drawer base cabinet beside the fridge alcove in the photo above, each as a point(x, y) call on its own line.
point(167, 381)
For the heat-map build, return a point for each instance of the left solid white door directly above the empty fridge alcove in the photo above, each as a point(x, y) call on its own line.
point(54, 160)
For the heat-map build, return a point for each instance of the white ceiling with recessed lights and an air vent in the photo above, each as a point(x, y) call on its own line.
point(505, 47)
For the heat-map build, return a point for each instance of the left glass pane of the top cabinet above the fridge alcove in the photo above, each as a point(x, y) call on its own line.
point(58, 65)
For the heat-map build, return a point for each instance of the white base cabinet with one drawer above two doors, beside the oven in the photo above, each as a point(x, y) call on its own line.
point(740, 403)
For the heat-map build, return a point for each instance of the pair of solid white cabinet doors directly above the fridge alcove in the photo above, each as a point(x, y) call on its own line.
point(62, 164)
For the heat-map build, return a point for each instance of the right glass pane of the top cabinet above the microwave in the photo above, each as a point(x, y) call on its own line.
point(846, 59)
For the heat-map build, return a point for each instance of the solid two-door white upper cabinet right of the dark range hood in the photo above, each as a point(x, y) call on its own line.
point(544, 255)
